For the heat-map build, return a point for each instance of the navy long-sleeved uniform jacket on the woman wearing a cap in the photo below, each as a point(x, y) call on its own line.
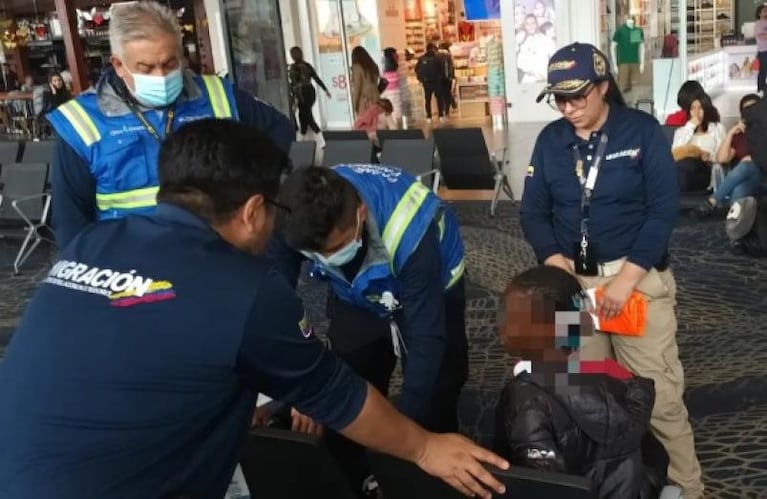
point(635, 201)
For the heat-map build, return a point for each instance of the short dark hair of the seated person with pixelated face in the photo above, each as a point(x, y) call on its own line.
point(556, 287)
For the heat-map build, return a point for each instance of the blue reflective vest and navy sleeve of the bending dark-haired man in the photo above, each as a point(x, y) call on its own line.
point(414, 251)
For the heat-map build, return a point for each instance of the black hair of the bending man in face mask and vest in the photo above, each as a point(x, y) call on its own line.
point(320, 200)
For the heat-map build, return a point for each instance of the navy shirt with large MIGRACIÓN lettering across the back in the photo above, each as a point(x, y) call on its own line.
point(134, 369)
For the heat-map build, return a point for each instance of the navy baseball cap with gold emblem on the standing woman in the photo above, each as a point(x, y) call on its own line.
point(573, 68)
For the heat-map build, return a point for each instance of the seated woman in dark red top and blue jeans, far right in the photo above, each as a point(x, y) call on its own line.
point(745, 179)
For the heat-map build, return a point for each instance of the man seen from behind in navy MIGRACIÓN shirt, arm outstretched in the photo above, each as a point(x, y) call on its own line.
point(135, 367)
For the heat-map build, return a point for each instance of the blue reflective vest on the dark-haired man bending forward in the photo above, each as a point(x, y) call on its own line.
point(402, 209)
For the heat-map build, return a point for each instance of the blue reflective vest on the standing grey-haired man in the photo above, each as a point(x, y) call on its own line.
point(121, 153)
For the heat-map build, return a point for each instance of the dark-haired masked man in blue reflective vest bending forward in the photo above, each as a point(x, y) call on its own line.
point(393, 256)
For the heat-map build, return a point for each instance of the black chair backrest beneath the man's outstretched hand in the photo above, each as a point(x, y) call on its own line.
point(400, 479)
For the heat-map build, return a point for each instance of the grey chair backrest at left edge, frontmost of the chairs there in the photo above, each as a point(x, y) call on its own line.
point(21, 180)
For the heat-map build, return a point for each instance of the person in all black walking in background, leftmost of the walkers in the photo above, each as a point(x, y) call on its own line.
point(302, 93)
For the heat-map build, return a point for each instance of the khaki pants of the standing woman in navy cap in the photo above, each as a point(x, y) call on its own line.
point(656, 355)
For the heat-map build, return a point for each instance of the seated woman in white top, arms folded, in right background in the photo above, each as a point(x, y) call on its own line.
point(696, 144)
